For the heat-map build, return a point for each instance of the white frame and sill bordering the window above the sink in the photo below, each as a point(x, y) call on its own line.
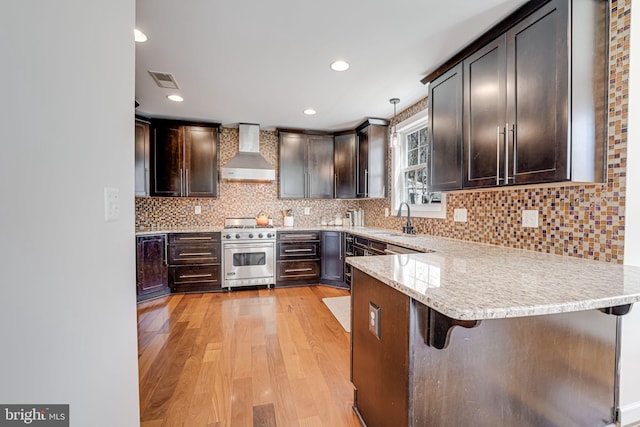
point(398, 154)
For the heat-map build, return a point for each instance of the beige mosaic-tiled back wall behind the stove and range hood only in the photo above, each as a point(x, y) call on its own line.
point(236, 198)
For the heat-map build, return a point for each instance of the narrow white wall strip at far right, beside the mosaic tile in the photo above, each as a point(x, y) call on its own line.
point(630, 356)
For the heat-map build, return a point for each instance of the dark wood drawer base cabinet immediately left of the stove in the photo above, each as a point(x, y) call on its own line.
point(194, 262)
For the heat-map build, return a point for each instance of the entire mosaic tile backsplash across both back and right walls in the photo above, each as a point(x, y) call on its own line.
point(584, 221)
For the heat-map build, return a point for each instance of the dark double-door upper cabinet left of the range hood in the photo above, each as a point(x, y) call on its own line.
point(185, 159)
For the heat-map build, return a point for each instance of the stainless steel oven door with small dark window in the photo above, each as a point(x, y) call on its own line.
point(248, 264)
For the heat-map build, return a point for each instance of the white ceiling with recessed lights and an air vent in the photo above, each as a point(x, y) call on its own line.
point(261, 61)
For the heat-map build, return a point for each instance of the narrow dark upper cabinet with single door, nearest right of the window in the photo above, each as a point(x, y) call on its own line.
point(445, 131)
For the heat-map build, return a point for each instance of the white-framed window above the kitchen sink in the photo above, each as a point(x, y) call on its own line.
point(411, 170)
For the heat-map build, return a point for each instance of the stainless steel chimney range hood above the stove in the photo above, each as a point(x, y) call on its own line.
point(248, 164)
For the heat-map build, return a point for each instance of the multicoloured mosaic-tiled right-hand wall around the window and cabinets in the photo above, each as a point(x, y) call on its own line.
point(586, 221)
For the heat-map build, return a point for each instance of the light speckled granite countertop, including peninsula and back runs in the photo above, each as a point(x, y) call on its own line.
point(474, 281)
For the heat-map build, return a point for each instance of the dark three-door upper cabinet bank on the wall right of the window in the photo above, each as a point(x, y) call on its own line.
point(533, 100)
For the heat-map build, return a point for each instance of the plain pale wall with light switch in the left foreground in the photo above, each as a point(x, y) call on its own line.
point(67, 291)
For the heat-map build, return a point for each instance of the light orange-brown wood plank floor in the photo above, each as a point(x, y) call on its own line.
point(246, 358)
